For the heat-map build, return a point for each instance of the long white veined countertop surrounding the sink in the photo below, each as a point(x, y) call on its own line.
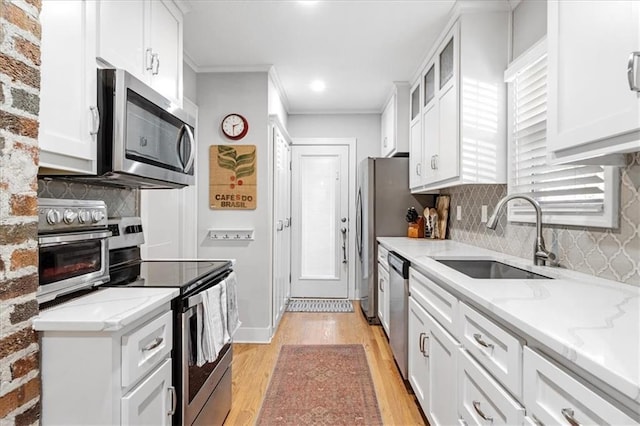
point(592, 322)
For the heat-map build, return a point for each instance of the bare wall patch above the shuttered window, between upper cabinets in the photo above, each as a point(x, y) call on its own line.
point(529, 25)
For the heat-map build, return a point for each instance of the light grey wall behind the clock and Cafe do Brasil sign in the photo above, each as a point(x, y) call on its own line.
point(218, 95)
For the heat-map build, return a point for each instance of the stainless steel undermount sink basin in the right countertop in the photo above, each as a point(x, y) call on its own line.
point(490, 269)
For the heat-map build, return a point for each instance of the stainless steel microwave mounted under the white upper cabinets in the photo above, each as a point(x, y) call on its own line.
point(143, 140)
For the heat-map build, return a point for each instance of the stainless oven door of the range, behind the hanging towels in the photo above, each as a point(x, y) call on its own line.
point(205, 388)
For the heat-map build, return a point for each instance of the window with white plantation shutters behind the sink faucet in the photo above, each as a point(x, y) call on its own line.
point(568, 194)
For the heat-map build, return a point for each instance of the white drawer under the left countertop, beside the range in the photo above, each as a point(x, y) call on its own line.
point(144, 348)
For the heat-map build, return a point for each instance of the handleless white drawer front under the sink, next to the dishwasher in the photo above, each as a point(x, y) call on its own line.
point(439, 303)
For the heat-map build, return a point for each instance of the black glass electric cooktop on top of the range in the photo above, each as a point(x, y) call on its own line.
point(185, 275)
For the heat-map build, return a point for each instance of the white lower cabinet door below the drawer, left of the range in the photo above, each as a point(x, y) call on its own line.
point(150, 403)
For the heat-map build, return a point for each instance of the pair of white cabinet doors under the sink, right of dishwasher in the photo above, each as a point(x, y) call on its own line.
point(433, 356)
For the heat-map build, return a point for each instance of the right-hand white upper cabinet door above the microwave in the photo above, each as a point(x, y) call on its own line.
point(165, 41)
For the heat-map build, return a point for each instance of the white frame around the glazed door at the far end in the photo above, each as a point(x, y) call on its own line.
point(353, 164)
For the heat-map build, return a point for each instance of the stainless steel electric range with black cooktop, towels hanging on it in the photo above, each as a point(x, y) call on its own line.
point(204, 392)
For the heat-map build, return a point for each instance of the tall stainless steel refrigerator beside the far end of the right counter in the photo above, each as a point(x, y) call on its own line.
point(382, 201)
